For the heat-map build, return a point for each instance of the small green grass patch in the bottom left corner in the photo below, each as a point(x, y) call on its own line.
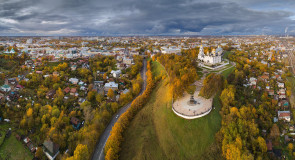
point(11, 148)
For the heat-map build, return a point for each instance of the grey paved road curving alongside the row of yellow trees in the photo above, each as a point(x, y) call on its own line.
point(99, 151)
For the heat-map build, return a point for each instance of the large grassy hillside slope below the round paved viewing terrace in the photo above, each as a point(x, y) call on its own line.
point(157, 133)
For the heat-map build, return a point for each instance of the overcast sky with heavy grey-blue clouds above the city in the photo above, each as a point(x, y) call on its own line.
point(146, 17)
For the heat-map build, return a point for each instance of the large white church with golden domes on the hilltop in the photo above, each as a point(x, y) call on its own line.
point(212, 58)
